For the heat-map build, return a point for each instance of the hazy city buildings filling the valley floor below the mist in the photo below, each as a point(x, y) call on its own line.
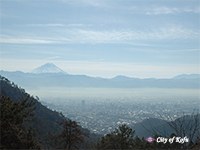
point(104, 115)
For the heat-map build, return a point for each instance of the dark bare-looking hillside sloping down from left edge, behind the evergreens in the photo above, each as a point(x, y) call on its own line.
point(45, 121)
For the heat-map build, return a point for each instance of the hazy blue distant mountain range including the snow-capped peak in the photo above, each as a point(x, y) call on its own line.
point(50, 75)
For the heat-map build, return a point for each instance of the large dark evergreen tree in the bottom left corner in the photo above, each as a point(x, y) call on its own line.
point(13, 115)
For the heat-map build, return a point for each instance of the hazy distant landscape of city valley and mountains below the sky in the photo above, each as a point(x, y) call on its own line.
point(102, 104)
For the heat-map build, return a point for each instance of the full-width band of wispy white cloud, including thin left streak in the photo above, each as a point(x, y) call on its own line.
point(75, 35)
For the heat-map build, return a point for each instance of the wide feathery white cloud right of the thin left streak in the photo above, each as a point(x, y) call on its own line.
point(127, 36)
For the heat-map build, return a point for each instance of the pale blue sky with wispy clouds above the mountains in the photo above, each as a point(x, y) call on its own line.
point(102, 38)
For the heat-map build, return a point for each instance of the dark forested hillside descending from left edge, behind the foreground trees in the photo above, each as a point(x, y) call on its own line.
point(45, 121)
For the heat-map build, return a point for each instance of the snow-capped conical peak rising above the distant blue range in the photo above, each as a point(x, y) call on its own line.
point(48, 68)
